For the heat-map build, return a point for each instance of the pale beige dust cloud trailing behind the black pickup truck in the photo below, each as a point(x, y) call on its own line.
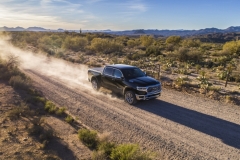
point(74, 75)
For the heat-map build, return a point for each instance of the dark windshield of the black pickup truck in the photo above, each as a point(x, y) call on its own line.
point(130, 73)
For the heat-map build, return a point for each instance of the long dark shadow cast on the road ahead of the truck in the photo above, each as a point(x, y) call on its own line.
point(227, 131)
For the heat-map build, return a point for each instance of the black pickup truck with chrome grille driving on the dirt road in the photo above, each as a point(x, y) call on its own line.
point(128, 80)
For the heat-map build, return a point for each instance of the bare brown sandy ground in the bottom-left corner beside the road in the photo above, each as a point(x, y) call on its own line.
point(16, 143)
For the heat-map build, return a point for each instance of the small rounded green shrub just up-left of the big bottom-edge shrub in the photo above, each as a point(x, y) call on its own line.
point(88, 137)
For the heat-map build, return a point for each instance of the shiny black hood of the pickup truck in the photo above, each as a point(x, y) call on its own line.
point(144, 81)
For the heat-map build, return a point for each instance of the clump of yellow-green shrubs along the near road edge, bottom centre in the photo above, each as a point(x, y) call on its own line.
point(104, 149)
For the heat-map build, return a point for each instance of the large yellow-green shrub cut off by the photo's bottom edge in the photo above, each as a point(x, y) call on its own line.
point(130, 151)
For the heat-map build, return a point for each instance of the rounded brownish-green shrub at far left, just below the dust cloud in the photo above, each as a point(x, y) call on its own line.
point(19, 82)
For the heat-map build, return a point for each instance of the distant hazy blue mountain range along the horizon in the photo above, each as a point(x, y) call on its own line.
point(156, 32)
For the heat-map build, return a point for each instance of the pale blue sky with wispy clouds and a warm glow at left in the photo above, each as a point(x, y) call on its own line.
point(120, 14)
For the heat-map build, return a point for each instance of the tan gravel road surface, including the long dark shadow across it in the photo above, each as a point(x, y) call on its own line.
point(181, 125)
